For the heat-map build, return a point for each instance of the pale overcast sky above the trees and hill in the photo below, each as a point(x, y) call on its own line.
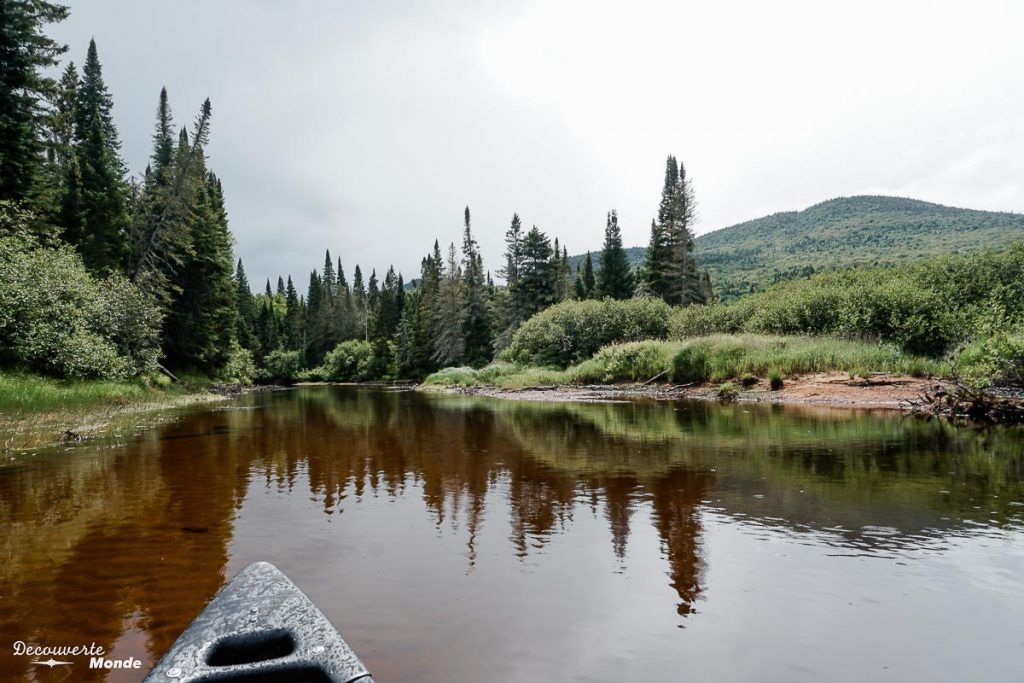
point(366, 127)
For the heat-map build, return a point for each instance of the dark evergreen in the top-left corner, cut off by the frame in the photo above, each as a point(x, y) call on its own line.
point(26, 55)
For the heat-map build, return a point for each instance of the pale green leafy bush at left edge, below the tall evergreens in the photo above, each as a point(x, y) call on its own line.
point(59, 320)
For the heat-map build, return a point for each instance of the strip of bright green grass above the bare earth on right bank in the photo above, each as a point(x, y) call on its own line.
point(712, 359)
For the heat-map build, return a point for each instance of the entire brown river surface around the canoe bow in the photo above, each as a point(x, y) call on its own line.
point(456, 539)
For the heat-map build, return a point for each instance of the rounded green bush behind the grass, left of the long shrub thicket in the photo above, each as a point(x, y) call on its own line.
point(574, 331)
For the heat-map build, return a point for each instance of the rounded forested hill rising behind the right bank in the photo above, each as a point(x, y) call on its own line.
point(844, 232)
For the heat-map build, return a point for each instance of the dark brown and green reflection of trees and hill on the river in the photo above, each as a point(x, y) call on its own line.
point(143, 533)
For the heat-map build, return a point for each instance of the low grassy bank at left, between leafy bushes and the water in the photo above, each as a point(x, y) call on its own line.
point(37, 412)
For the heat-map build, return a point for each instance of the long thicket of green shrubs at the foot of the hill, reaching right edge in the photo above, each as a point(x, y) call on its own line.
point(926, 309)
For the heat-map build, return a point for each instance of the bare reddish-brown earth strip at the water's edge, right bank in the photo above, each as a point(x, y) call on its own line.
point(831, 390)
